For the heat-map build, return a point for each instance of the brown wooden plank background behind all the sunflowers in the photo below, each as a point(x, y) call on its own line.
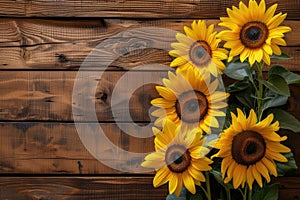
point(42, 45)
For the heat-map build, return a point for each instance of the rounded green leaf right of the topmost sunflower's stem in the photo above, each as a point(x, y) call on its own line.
point(277, 84)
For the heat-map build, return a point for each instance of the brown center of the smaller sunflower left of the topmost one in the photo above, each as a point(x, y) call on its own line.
point(200, 53)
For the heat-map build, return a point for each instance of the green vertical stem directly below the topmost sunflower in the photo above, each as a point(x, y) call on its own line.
point(259, 67)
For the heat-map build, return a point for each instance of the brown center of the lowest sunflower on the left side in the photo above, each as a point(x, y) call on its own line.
point(178, 158)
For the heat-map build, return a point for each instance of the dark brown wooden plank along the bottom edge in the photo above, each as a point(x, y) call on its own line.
point(75, 188)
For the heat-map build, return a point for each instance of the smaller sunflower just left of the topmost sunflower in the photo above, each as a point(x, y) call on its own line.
point(198, 48)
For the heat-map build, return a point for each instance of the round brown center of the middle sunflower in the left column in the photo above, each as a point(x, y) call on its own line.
point(191, 106)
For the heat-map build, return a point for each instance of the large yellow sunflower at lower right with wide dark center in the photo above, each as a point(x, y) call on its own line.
point(250, 149)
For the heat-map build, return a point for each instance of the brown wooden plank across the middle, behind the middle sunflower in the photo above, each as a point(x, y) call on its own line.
point(47, 95)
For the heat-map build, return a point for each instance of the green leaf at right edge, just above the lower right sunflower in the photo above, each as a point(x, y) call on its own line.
point(286, 120)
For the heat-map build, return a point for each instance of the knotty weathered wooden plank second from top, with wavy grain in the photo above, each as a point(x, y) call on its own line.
point(52, 44)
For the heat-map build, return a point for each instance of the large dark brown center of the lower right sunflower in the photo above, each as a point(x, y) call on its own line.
point(248, 147)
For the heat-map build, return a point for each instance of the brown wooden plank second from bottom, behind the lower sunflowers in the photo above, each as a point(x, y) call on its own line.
point(56, 148)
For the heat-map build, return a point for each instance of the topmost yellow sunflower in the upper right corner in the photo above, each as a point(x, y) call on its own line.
point(254, 32)
